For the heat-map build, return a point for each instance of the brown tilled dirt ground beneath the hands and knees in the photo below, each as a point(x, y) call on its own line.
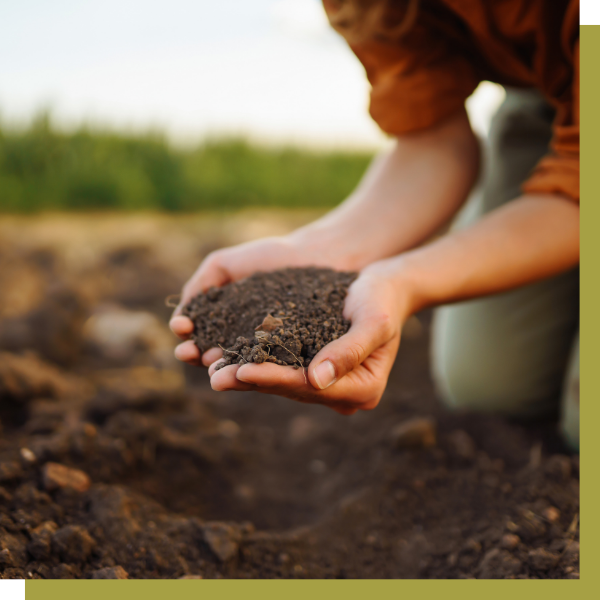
point(117, 462)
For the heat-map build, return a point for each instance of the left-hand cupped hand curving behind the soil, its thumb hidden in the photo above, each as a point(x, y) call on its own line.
point(225, 266)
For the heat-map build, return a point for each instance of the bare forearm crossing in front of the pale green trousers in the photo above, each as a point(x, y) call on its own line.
point(532, 238)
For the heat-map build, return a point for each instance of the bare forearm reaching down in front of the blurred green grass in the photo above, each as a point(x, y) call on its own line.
point(405, 197)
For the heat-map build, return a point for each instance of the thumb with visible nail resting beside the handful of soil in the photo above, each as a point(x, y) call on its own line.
point(345, 354)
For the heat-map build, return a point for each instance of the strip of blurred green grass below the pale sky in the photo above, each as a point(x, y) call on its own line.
point(42, 168)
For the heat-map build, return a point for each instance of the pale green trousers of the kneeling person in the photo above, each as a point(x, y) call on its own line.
point(515, 353)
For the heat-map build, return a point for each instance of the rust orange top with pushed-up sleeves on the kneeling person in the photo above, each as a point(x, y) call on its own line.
point(455, 44)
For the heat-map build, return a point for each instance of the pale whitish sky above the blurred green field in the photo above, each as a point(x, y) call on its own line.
point(269, 69)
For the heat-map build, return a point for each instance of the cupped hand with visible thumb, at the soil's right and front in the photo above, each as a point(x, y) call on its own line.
point(348, 374)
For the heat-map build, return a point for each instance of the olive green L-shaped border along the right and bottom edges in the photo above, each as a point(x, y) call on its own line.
point(590, 382)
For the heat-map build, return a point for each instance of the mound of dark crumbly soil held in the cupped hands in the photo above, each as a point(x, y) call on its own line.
point(284, 317)
